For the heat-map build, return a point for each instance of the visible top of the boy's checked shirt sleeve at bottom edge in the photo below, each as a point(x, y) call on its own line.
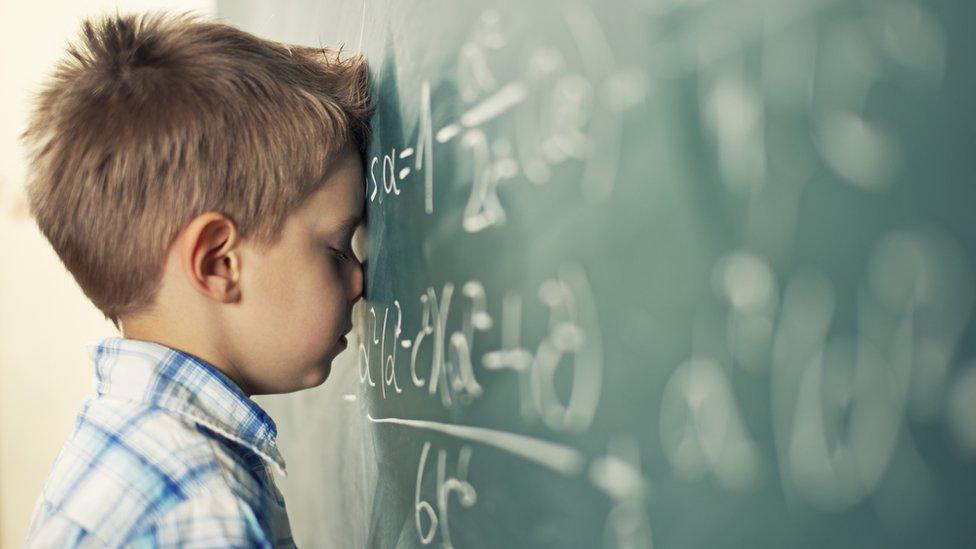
point(204, 521)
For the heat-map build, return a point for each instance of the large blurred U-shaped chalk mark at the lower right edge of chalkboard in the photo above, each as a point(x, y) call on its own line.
point(840, 402)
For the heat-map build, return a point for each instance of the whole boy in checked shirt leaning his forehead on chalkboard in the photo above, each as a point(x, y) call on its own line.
point(202, 185)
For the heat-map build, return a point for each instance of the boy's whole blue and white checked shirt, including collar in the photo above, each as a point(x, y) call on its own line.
point(168, 452)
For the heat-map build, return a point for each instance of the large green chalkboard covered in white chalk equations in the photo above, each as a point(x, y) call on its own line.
point(653, 272)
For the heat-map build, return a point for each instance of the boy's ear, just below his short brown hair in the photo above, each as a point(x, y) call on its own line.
point(210, 256)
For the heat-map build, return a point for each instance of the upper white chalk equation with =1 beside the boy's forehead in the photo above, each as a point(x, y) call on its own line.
point(558, 115)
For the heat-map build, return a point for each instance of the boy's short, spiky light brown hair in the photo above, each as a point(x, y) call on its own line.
point(151, 120)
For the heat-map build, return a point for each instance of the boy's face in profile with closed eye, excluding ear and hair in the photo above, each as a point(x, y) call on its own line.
point(297, 295)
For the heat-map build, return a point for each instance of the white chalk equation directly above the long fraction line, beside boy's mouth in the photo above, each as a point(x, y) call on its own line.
point(392, 363)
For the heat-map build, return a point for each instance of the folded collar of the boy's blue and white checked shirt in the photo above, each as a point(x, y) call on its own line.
point(186, 385)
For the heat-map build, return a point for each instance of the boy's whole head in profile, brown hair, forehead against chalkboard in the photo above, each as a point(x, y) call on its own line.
point(202, 185)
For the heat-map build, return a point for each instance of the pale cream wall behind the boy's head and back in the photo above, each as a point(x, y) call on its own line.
point(45, 320)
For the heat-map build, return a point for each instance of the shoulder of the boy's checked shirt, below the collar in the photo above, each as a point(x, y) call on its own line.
point(132, 471)
